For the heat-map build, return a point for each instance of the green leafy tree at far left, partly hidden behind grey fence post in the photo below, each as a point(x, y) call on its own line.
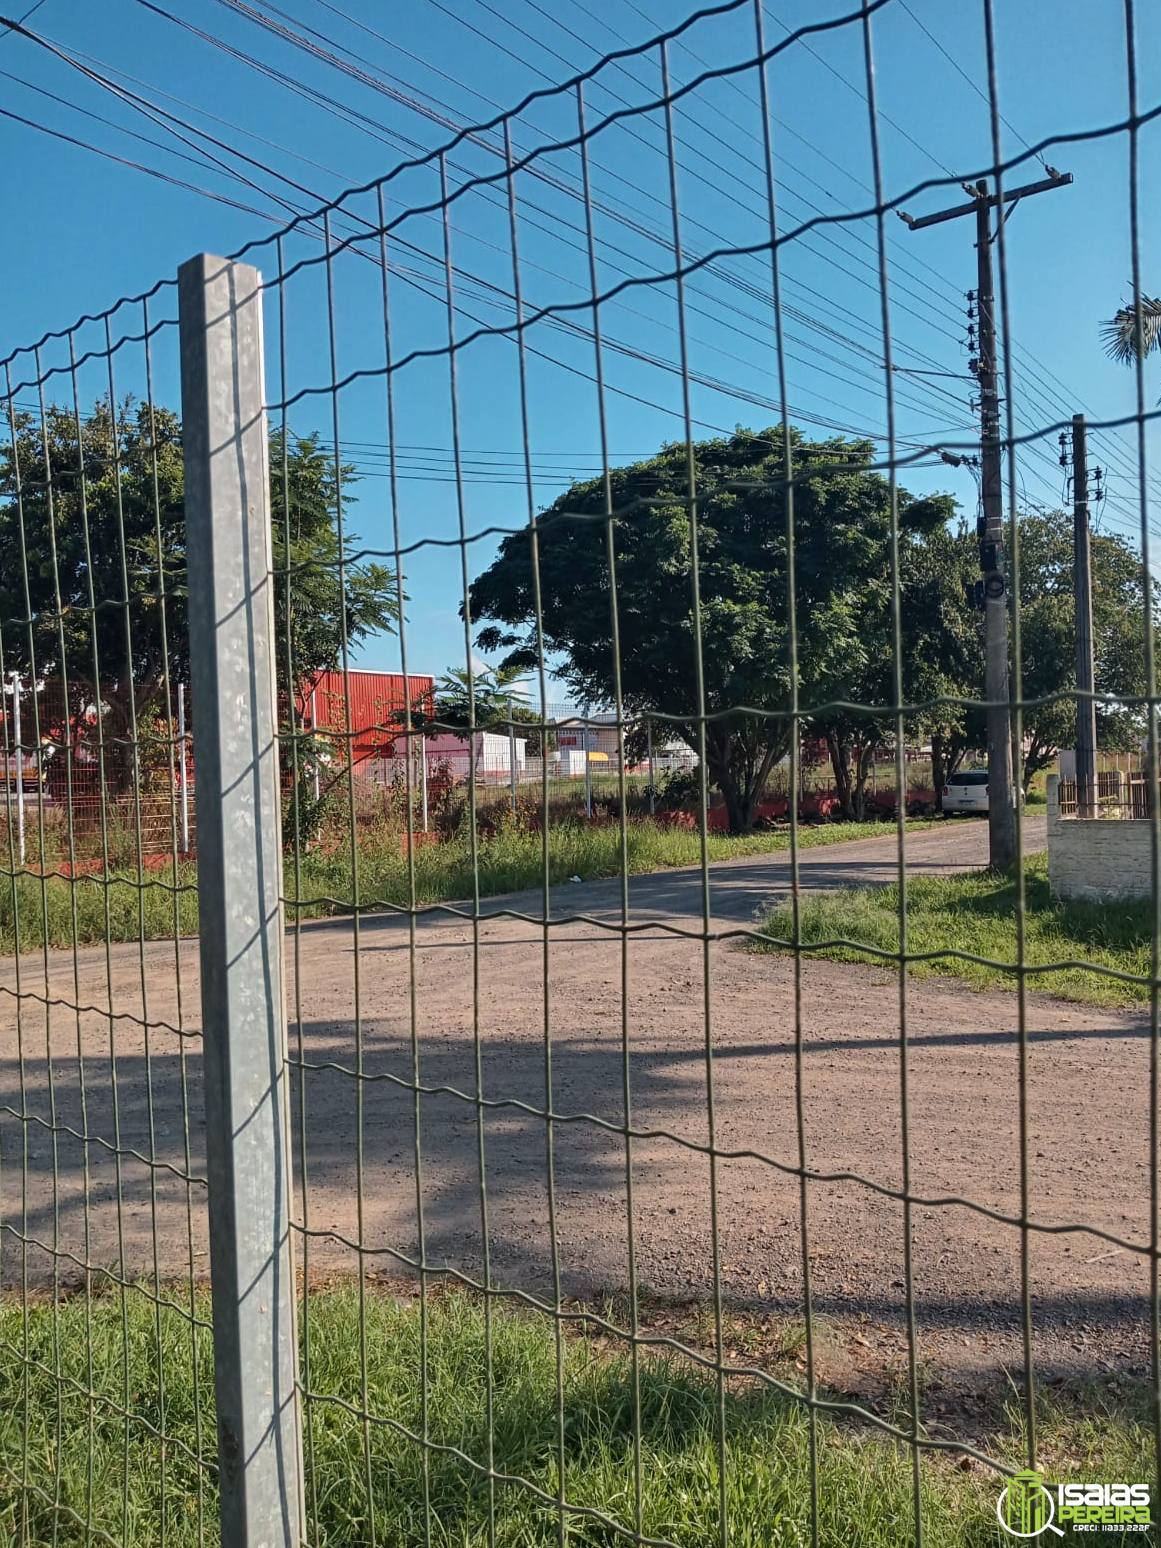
point(94, 586)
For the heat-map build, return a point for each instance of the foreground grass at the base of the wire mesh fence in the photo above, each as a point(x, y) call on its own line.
point(149, 1479)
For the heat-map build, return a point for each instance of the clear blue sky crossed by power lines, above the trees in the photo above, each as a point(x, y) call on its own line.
point(397, 84)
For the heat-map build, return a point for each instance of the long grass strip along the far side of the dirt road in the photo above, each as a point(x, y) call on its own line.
point(61, 911)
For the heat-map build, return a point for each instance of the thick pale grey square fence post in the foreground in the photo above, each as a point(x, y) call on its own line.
point(228, 536)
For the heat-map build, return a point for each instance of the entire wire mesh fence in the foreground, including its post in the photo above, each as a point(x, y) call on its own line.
point(604, 1230)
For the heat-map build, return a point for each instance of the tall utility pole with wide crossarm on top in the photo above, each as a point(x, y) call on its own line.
point(1001, 775)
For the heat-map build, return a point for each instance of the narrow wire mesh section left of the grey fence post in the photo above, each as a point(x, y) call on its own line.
point(103, 1216)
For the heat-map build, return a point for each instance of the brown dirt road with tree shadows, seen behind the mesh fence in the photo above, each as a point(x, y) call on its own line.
point(1089, 1131)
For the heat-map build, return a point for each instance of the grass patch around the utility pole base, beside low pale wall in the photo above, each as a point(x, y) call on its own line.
point(978, 914)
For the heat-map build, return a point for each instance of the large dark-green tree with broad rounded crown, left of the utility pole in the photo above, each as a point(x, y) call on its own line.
point(742, 635)
